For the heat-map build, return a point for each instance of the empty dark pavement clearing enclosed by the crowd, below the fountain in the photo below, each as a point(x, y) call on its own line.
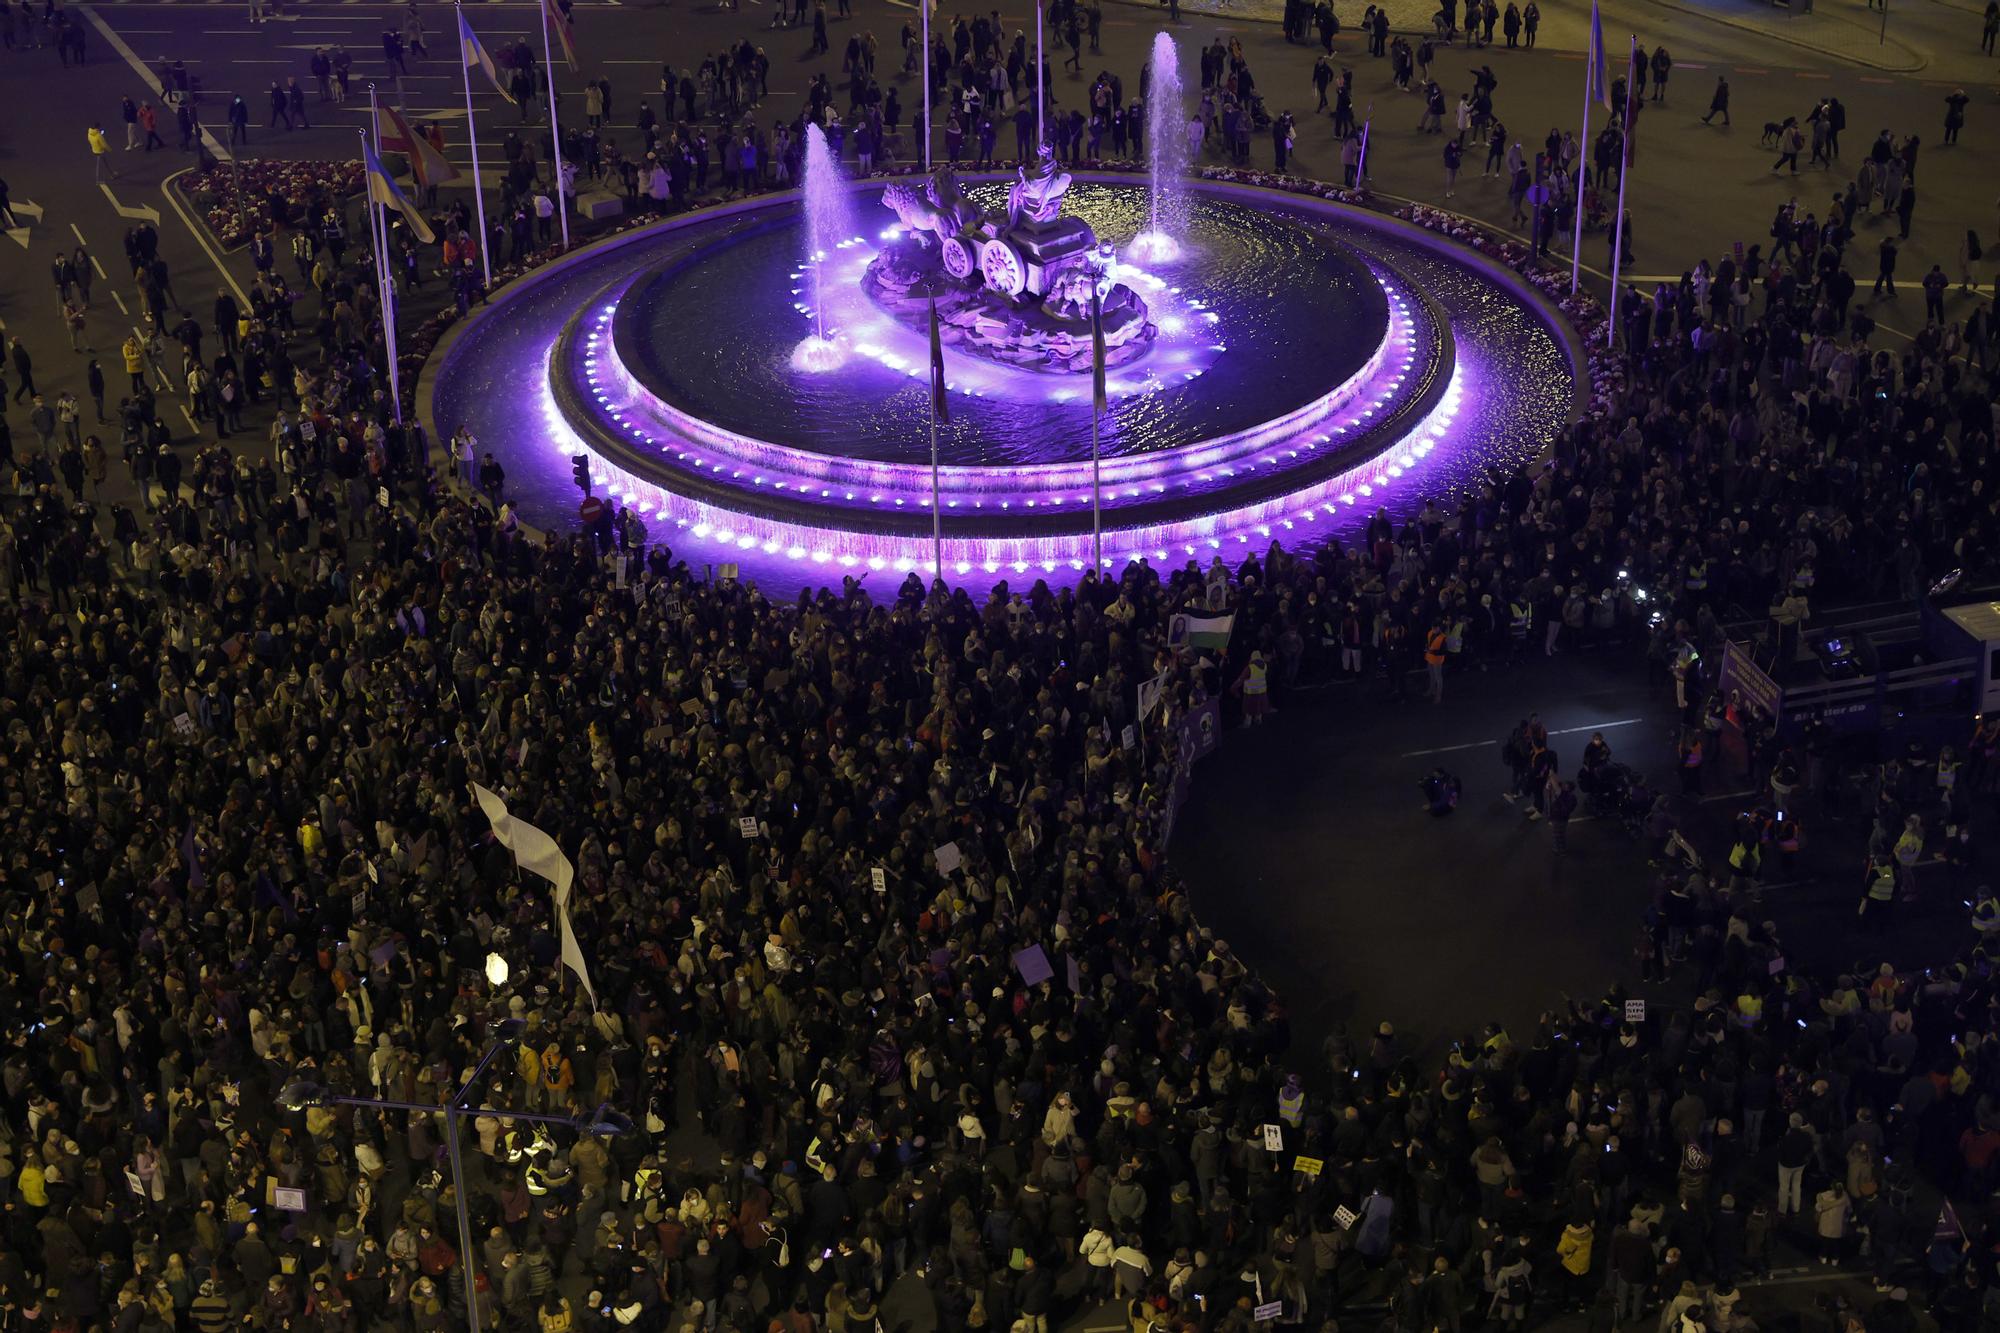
point(1309, 848)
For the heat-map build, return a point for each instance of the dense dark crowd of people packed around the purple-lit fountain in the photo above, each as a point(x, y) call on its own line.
point(897, 1006)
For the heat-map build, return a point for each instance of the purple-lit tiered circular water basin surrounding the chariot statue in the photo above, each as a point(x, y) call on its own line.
point(1491, 377)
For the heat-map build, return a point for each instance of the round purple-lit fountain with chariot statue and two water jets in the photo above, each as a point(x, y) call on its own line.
point(755, 379)
